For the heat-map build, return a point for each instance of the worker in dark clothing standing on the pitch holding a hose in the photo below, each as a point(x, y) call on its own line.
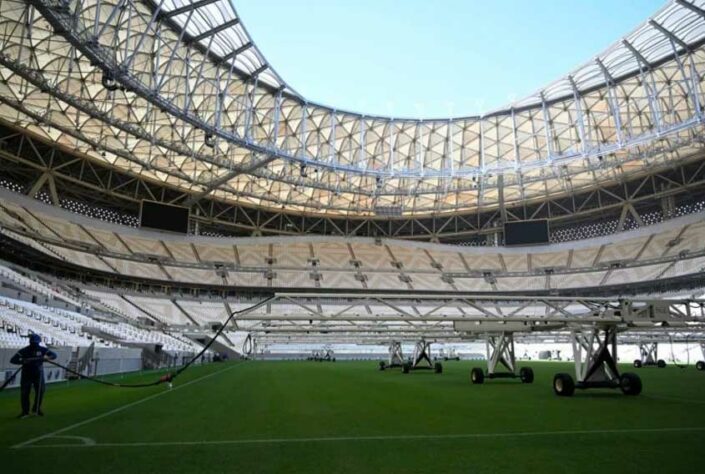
point(32, 360)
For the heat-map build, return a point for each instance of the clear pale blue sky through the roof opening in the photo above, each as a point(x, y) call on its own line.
point(413, 58)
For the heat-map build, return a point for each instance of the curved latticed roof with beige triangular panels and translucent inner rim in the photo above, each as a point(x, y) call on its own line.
point(176, 91)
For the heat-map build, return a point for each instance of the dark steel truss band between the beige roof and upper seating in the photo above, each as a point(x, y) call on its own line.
point(38, 166)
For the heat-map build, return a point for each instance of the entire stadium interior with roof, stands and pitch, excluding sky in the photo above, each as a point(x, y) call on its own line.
point(234, 278)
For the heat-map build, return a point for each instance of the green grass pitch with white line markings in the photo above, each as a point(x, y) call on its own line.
point(309, 417)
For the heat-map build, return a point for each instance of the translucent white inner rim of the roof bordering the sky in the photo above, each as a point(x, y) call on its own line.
point(216, 25)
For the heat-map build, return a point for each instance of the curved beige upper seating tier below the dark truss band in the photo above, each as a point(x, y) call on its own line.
point(665, 250)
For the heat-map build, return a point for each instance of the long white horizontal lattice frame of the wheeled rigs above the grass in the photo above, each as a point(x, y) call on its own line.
point(356, 316)
